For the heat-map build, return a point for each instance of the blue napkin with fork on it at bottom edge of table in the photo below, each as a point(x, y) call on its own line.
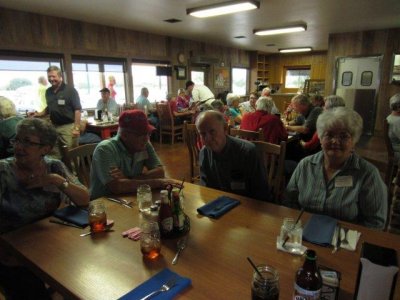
point(155, 282)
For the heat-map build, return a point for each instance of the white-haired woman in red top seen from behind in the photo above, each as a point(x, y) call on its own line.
point(272, 126)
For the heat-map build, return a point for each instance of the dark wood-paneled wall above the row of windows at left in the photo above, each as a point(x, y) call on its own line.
point(22, 31)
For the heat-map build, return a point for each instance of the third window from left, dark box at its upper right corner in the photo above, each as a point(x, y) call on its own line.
point(145, 75)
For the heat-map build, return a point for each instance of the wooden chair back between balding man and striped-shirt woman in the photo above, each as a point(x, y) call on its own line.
point(273, 159)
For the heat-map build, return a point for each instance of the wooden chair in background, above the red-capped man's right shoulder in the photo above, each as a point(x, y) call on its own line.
point(167, 122)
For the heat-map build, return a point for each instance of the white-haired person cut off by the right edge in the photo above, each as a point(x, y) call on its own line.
point(394, 124)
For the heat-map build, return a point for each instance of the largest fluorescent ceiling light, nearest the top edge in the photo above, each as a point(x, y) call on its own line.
point(222, 8)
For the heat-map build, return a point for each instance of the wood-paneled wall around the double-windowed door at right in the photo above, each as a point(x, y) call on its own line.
point(367, 43)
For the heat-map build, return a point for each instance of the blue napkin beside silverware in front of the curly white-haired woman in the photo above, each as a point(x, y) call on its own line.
point(319, 230)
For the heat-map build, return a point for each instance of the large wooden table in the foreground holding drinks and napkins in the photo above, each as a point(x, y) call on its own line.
point(108, 266)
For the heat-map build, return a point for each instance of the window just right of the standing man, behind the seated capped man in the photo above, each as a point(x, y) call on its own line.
point(91, 76)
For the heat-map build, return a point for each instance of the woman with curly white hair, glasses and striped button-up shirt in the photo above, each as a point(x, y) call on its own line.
point(336, 181)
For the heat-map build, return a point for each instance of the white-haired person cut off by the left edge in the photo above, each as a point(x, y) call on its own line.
point(8, 123)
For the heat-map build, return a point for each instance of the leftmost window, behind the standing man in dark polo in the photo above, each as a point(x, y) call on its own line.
point(19, 80)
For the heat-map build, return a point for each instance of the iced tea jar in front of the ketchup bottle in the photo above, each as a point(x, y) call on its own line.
point(150, 242)
